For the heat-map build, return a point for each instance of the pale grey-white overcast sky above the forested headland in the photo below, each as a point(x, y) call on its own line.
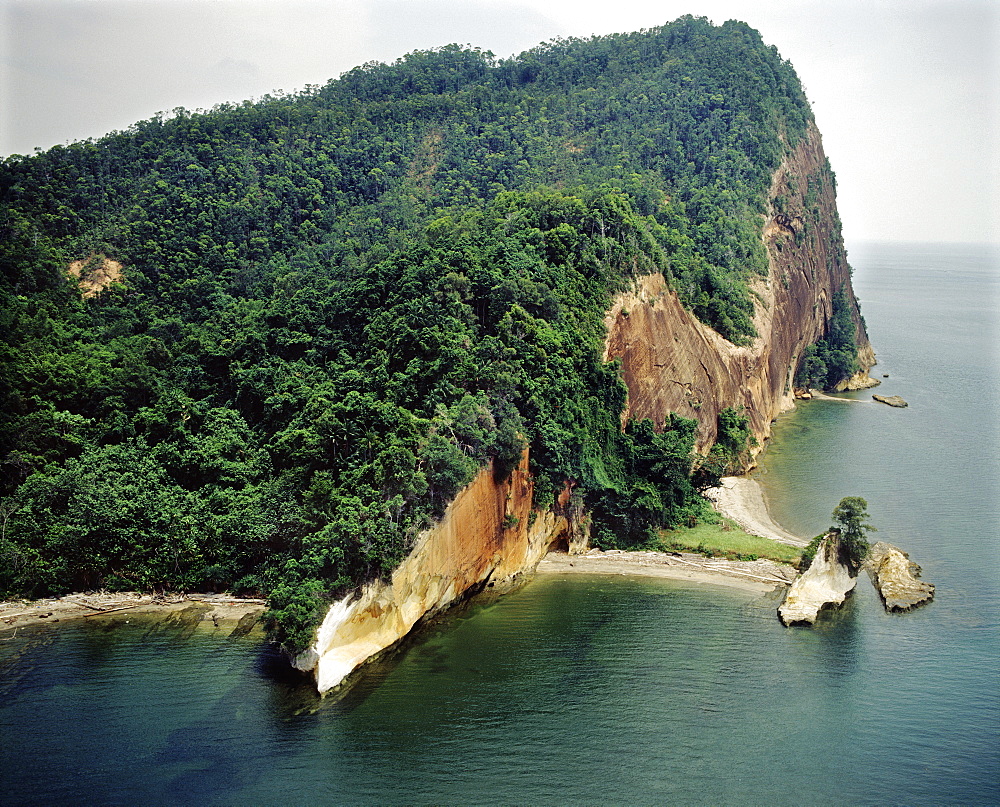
point(905, 92)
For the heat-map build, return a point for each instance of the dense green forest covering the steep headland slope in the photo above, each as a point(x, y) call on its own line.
point(262, 347)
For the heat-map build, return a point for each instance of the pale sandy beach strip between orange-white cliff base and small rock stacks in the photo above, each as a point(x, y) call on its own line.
point(757, 575)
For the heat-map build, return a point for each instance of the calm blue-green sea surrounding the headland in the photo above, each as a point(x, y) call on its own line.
point(610, 690)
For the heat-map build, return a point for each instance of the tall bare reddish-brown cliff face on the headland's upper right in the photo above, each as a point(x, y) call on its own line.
point(671, 362)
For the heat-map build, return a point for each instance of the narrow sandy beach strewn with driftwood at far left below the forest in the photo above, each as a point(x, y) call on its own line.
point(222, 610)
